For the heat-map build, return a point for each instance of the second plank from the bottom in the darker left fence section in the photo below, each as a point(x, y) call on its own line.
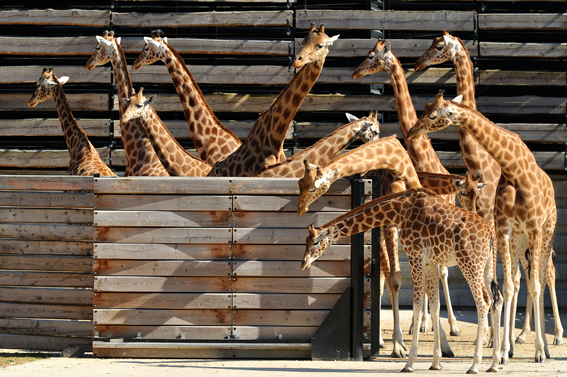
point(46, 327)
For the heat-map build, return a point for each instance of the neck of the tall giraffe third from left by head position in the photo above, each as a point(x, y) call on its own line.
point(200, 118)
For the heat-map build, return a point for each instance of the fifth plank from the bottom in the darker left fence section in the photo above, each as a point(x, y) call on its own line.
point(45, 279)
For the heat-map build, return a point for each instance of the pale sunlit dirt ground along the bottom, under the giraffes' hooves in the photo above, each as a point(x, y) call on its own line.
point(521, 365)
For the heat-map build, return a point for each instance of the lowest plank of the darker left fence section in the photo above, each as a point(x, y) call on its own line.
point(37, 342)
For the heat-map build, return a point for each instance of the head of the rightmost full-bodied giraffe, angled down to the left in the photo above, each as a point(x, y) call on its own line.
point(437, 116)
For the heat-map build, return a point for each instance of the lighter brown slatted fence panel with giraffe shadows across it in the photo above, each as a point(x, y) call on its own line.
point(235, 275)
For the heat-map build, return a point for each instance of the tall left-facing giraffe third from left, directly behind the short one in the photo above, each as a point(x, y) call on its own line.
point(214, 142)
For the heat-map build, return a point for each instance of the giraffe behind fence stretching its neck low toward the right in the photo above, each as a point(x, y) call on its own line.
point(327, 148)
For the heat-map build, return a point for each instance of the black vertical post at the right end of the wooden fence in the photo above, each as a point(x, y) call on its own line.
point(357, 274)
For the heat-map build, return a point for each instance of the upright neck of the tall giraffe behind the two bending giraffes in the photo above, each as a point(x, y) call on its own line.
point(420, 149)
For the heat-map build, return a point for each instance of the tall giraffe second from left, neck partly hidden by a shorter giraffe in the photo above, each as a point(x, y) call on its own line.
point(141, 158)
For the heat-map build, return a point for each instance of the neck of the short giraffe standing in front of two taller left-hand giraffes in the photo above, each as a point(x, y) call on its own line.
point(176, 160)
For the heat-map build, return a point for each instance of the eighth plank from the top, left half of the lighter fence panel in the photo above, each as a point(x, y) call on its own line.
point(163, 300)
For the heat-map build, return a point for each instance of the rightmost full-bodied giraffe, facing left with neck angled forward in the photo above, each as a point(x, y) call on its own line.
point(528, 219)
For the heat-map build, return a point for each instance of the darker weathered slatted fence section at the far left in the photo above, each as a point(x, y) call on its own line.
point(45, 261)
